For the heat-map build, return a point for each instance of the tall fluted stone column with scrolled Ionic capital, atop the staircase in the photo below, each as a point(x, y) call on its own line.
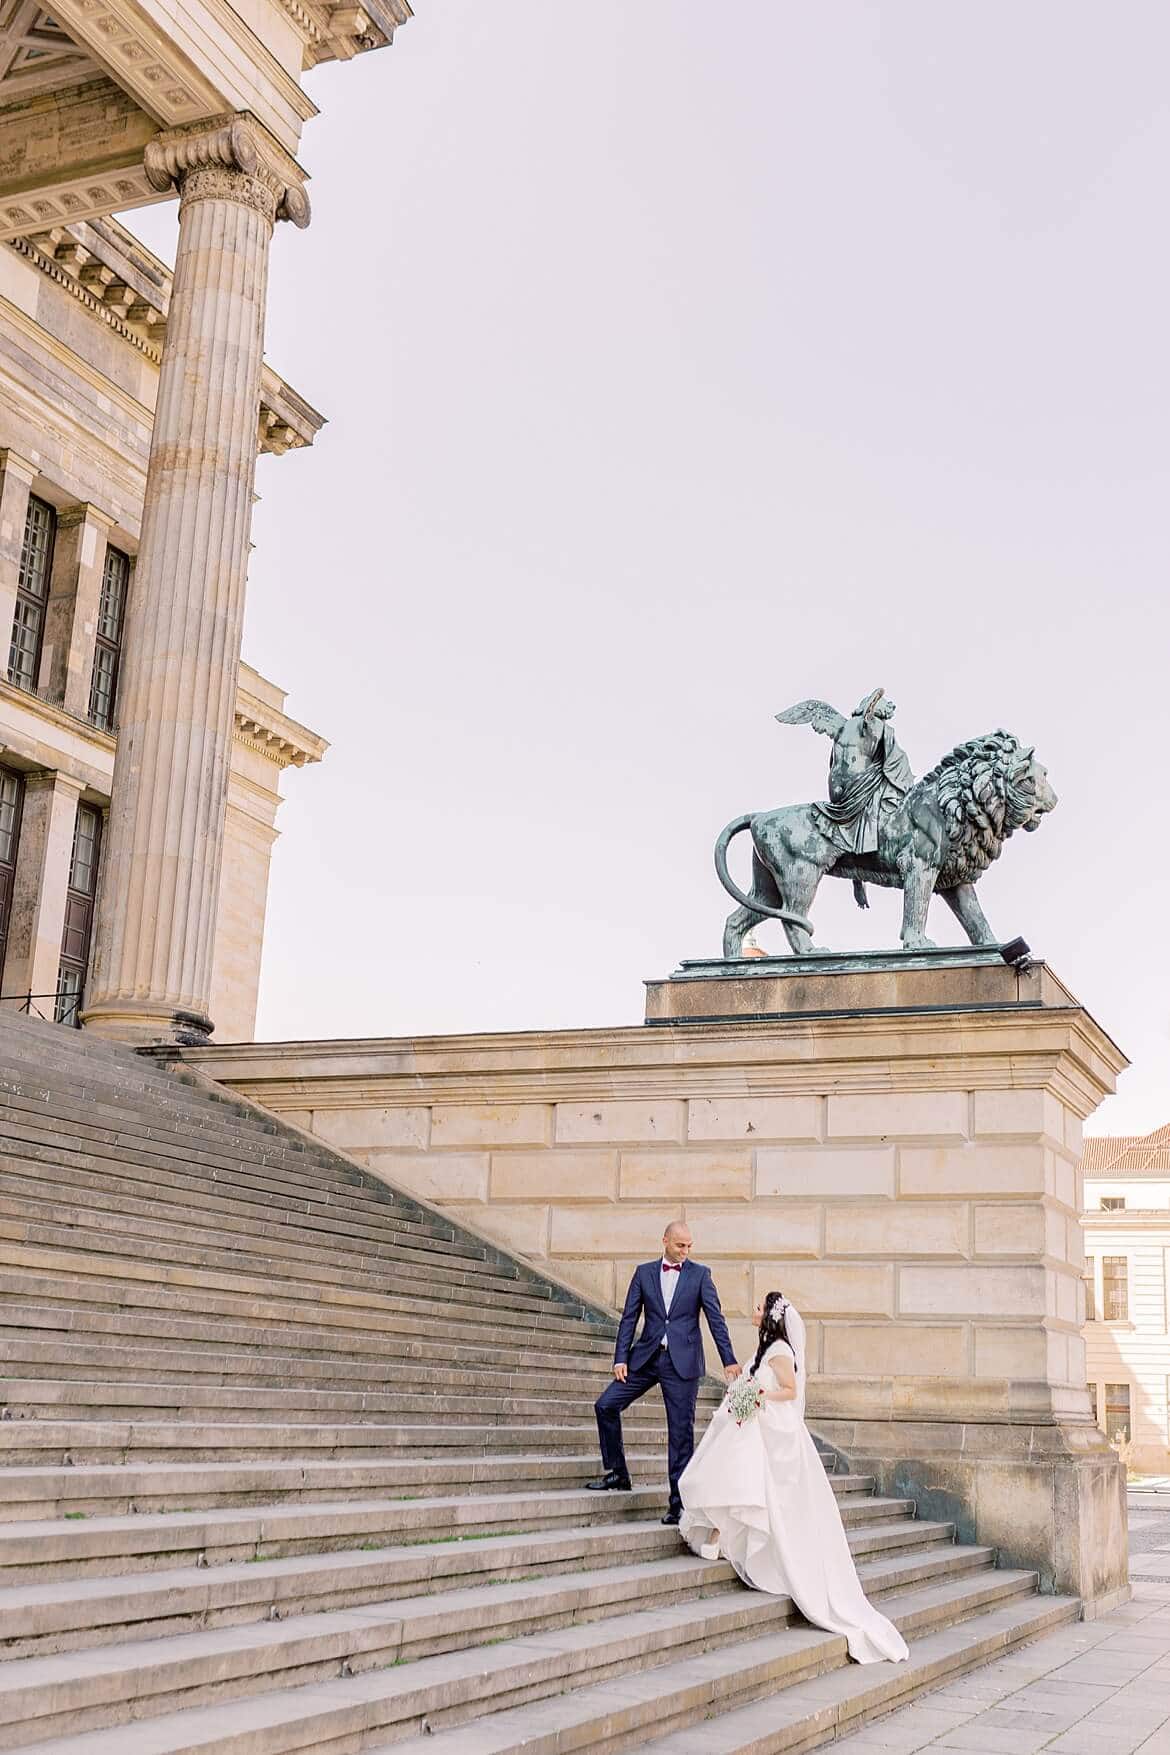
point(159, 898)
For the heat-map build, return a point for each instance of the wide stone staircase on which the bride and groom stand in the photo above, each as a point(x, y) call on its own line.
point(290, 1463)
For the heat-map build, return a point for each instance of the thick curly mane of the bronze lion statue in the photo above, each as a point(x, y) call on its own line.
point(981, 801)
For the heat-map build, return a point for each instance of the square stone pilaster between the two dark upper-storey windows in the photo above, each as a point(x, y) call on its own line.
point(71, 627)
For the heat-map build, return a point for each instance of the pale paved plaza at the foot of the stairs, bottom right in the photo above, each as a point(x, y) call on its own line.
point(1095, 1689)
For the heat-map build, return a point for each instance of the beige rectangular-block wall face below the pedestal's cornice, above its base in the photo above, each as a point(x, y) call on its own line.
point(925, 1235)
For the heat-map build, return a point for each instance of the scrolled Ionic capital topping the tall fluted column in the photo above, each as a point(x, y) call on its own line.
point(229, 159)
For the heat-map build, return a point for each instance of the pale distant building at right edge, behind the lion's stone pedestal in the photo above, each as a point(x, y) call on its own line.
point(1127, 1273)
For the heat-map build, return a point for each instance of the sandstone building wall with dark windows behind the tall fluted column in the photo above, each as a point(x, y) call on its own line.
point(83, 317)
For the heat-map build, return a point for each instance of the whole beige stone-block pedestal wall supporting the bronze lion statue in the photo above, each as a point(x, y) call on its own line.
point(892, 1142)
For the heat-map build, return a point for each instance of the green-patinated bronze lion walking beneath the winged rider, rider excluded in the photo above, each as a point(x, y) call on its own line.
point(941, 838)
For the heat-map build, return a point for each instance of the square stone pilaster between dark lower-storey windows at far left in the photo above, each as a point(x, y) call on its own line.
point(39, 887)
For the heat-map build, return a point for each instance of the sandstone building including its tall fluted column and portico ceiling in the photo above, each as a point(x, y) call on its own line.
point(143, 445)
